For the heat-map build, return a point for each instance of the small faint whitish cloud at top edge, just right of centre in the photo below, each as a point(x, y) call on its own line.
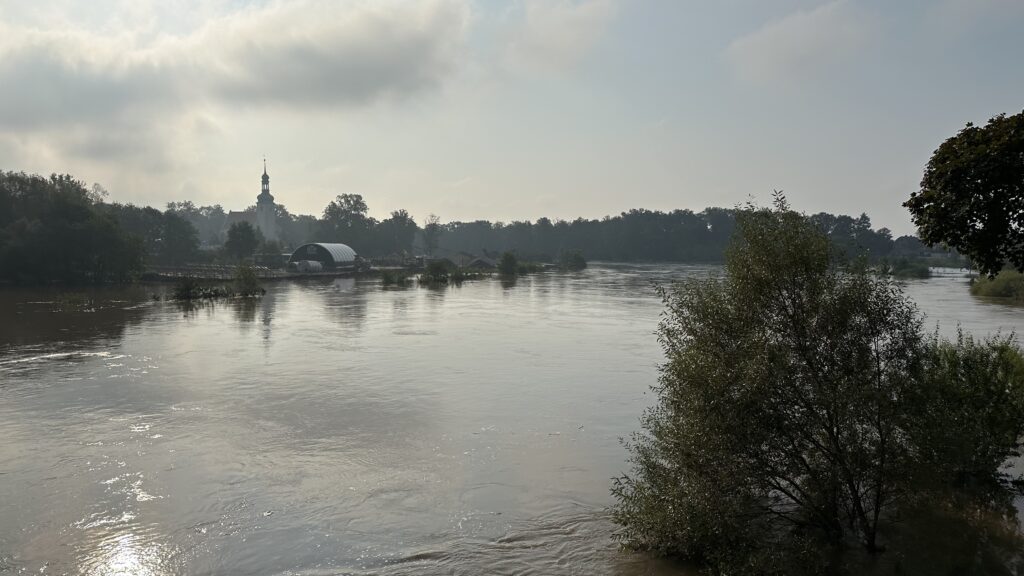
point(557, 34)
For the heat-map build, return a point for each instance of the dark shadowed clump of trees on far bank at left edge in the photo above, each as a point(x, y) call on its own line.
point(53, 230)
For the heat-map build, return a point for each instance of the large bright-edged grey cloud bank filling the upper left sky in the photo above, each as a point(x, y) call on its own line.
point(103, 95)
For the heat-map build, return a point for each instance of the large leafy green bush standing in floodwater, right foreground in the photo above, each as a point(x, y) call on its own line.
point(801, 413)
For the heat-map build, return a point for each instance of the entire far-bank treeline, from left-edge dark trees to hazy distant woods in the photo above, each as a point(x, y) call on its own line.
point(57, 230)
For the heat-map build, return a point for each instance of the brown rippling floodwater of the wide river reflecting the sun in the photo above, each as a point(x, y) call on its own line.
point(339, 427)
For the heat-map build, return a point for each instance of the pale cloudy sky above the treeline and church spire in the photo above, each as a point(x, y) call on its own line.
point(504, 111)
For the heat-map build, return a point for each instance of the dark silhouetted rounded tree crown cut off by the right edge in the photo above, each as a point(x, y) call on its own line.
point(972, 194)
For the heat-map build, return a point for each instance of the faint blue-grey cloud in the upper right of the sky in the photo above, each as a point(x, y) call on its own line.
point(807, 47)
